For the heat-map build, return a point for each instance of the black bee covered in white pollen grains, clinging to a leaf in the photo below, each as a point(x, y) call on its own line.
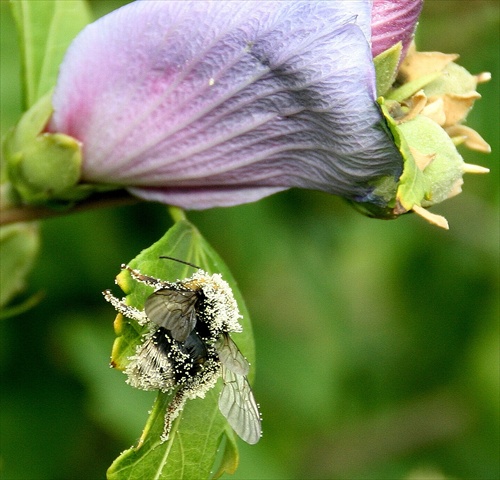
point(187, 347)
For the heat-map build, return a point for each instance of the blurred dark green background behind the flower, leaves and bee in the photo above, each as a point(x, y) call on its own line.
point(377, 341)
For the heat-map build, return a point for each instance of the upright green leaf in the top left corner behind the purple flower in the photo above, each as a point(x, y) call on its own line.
point(46, 28)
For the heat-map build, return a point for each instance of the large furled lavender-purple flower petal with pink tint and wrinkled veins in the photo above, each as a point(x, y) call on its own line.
point(203, 104)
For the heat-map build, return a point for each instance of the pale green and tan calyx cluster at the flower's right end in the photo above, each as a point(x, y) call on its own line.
point(425, 110)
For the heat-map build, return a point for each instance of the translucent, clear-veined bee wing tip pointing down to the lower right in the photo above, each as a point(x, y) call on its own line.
point(237, 404)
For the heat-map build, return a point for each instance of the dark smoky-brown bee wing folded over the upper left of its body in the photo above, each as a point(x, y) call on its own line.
point(174, 310)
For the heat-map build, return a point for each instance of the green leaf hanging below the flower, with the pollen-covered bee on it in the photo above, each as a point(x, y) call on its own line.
point(196, 434)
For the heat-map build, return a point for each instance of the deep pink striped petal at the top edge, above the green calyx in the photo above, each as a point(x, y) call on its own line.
point(394, 21)
